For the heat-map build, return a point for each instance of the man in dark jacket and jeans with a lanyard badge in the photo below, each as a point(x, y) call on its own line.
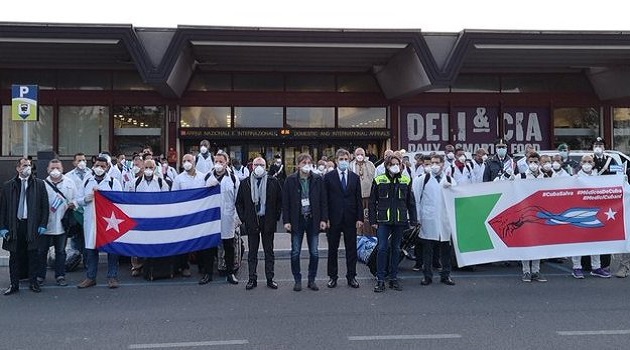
point(304, 211)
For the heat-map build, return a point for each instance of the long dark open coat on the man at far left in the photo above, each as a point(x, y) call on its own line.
point(37, 209)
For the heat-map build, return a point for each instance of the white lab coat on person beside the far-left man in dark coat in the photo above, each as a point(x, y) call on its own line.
point(69, 190)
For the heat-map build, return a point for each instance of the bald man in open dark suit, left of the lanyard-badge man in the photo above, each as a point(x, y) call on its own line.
point(258, 205)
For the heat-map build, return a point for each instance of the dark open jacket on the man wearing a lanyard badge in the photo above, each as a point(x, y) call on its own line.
point(292, 200)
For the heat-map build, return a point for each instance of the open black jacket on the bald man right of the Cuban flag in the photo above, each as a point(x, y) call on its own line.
point(246, 209)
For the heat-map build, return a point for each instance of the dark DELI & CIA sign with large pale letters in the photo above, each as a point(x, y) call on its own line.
point(426, 129)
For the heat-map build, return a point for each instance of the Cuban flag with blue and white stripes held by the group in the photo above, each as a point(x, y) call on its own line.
point(156, 224)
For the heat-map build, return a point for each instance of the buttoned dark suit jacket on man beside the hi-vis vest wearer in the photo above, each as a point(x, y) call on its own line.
point(344, 208)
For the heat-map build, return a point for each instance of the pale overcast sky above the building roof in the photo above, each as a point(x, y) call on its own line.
point(428, 16)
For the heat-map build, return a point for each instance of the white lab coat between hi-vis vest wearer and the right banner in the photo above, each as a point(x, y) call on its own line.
point(431, 208)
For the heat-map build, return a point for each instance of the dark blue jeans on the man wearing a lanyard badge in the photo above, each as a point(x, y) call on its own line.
point(312, 240)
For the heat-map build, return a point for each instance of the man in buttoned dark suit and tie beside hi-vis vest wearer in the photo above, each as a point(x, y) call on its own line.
point(345, 214)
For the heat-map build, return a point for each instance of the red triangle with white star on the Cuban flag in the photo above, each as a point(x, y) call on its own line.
point(111, 222)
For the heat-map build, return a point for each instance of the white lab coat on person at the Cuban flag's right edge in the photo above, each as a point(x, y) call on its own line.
point(229, 189)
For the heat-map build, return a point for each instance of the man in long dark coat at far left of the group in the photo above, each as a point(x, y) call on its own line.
point(23, 218)
